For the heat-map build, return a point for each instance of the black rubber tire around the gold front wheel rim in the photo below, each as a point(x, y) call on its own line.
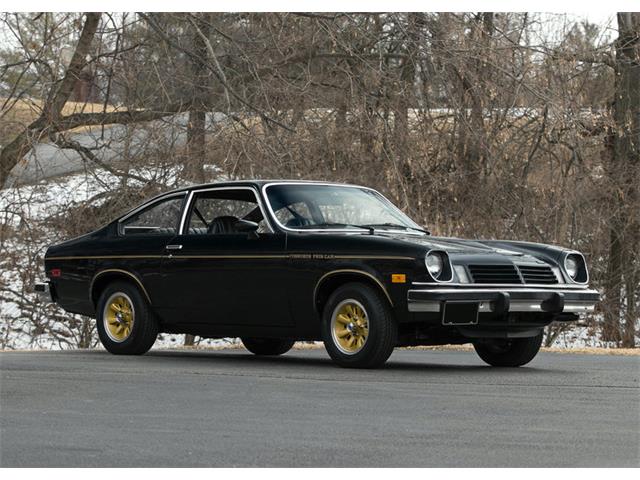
point(381, 328)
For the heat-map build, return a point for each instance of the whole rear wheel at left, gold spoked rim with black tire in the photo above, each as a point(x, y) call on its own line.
point(126, 324)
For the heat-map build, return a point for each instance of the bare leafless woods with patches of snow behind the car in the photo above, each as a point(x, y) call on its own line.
point(489, 125)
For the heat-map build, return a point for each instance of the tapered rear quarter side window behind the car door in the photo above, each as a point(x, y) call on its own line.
point(161, 218)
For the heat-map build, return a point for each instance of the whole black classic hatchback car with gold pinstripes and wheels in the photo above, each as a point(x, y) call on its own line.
point(273, 262)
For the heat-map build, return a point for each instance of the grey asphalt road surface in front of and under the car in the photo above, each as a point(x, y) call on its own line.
point(229, 408)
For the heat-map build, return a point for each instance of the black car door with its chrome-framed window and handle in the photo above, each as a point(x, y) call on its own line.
point(226, 277)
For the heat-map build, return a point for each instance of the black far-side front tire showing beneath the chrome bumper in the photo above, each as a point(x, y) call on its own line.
point(509, 353)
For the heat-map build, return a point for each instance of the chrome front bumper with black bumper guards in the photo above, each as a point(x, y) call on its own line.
point(504, 300)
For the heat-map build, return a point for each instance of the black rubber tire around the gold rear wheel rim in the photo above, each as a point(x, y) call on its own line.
point(144, 329)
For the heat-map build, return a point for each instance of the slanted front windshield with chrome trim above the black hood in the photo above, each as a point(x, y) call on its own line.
point(312, 206)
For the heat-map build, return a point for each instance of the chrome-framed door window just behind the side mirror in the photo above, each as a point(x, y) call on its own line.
point(217, 212)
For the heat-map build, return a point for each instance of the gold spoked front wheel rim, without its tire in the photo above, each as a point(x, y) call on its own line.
point(349, 326)
